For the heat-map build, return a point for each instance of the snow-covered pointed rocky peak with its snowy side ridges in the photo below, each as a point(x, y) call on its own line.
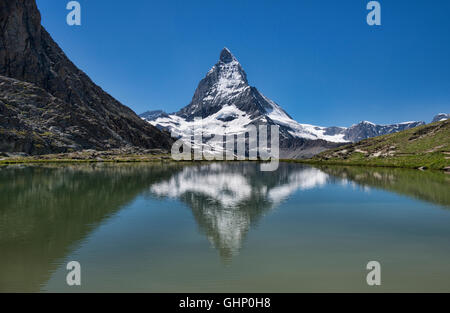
point(227, 104)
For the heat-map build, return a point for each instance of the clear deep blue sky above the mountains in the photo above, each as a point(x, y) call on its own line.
point(318, 59)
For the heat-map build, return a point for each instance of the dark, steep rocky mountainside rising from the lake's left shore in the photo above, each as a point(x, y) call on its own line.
point(83, 117)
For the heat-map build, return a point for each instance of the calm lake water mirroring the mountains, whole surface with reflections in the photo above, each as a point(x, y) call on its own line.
point(223, 227)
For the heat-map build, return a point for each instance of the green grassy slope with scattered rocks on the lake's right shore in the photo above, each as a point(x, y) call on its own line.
point(425, 146)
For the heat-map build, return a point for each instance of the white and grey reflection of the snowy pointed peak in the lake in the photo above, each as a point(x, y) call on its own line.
point(227, 199)
